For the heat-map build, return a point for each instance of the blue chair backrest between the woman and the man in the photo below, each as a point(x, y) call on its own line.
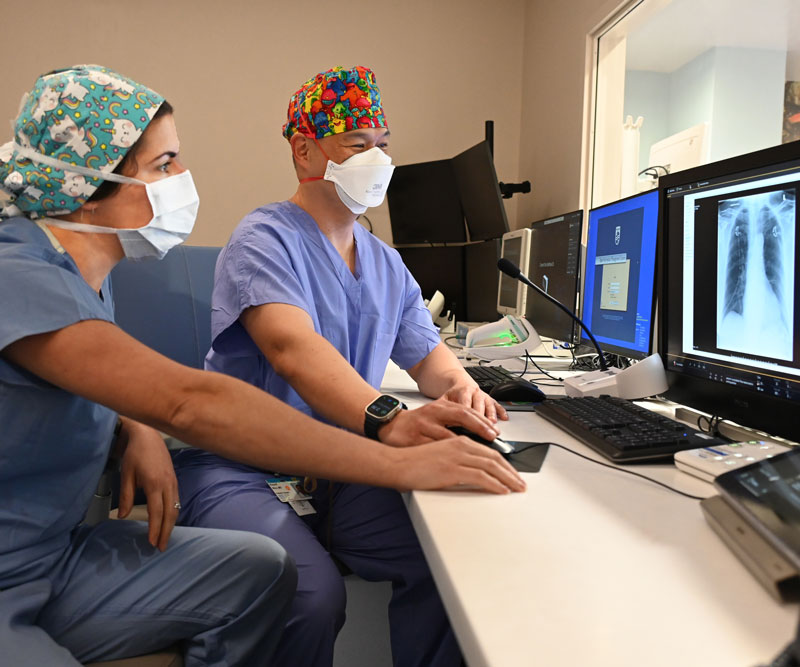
point(166, 304)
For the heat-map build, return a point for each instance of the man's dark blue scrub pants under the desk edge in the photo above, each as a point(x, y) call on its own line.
point(369, 531)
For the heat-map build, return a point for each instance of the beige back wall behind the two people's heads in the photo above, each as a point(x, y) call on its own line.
point(444, 66)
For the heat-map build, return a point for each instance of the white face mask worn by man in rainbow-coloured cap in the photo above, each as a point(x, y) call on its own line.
point(362, 179)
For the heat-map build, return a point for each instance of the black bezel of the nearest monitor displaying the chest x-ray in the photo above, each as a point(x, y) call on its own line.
point(771, 414)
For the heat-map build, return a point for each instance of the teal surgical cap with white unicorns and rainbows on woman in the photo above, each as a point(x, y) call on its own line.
point(87, 115)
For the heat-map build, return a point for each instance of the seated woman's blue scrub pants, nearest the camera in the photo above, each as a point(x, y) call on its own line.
point(223, 594)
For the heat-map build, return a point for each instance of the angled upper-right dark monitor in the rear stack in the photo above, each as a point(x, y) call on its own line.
point(480, 193)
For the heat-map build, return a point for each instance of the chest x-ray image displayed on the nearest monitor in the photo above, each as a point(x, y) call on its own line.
point(755, 280)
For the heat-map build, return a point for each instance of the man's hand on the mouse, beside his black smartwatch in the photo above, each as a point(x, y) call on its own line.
point(431, 421)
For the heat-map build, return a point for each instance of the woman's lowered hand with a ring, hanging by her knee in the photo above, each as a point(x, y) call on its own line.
point(146, 464)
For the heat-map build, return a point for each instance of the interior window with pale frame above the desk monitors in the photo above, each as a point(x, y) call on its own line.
point(679, 83)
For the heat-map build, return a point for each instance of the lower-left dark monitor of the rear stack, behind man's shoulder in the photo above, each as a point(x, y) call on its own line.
point(439, 268)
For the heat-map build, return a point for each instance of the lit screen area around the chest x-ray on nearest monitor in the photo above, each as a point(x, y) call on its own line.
point(739, 273)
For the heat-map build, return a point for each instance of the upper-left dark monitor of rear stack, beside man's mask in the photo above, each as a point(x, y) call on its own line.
point(424, 204)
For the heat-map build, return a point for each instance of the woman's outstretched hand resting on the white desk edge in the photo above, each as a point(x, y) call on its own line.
point(453, 463)
